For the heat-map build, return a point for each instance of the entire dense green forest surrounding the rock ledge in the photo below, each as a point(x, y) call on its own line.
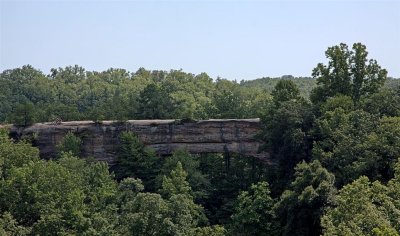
point(333, 138)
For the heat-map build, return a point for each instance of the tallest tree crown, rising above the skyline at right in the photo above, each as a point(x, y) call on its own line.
point(348, 72)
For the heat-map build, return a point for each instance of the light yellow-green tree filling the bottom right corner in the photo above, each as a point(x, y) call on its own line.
point(363, 208)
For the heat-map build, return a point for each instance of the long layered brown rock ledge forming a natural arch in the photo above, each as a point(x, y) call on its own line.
point(100, 139)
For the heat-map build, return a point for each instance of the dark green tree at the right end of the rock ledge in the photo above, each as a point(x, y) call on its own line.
point(285, 131)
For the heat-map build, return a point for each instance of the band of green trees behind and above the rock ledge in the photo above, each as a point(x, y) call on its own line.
point(72, 93)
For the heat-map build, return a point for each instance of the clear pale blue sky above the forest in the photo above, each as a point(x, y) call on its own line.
point(230, 39)
